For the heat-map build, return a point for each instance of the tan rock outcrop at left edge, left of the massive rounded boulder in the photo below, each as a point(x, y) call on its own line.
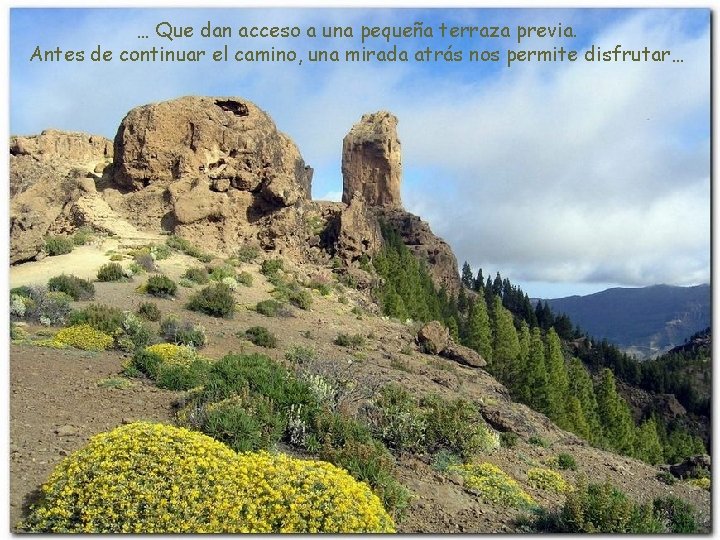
point(48, 173)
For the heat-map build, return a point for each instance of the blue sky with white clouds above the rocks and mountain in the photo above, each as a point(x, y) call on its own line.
point(566, 177)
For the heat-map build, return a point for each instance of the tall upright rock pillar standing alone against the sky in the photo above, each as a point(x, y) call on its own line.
point(371, 161)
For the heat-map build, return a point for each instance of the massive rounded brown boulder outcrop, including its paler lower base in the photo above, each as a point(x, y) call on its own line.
point(208, 169)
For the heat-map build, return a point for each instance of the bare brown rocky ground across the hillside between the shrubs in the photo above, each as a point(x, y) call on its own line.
point(59, 398)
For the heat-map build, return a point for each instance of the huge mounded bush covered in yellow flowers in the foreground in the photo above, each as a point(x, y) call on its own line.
point(154, 478)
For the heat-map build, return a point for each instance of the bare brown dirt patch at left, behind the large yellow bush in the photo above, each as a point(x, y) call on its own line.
point(56, 405)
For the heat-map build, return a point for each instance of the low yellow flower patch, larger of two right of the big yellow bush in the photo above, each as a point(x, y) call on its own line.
point(493, 484)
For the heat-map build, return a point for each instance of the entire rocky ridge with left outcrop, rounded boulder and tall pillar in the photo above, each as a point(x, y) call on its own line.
point(218, 172)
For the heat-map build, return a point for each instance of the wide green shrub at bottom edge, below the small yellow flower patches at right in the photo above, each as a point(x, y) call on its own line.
point(600, 508)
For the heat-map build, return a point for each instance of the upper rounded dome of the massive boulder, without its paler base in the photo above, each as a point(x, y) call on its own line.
point(225, 143)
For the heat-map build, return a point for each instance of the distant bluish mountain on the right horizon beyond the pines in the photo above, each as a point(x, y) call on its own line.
point(642, 321)
